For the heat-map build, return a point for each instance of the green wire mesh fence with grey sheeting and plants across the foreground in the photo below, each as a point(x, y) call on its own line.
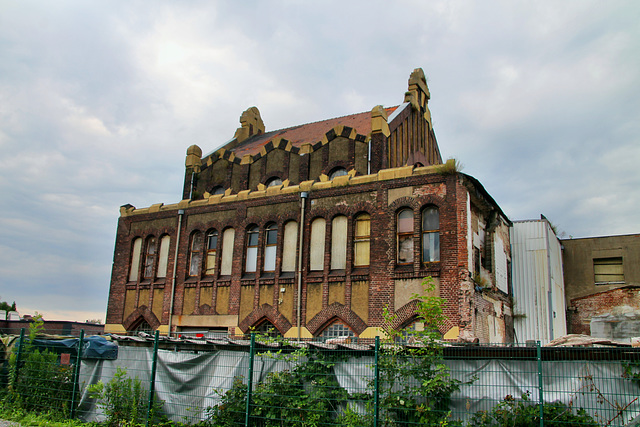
point(160, 380)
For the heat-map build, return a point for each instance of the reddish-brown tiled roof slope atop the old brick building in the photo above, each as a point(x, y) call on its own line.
point(307, 133)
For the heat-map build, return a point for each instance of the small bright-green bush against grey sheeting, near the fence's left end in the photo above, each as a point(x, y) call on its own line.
point(124, 401)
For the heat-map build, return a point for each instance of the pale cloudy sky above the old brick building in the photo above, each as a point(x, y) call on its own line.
point(99, 101)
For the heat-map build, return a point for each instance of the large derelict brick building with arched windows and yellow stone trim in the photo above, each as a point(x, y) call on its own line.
point(312, 230)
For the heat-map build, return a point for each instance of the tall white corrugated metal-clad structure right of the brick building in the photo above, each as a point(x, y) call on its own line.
point(538, 284)
